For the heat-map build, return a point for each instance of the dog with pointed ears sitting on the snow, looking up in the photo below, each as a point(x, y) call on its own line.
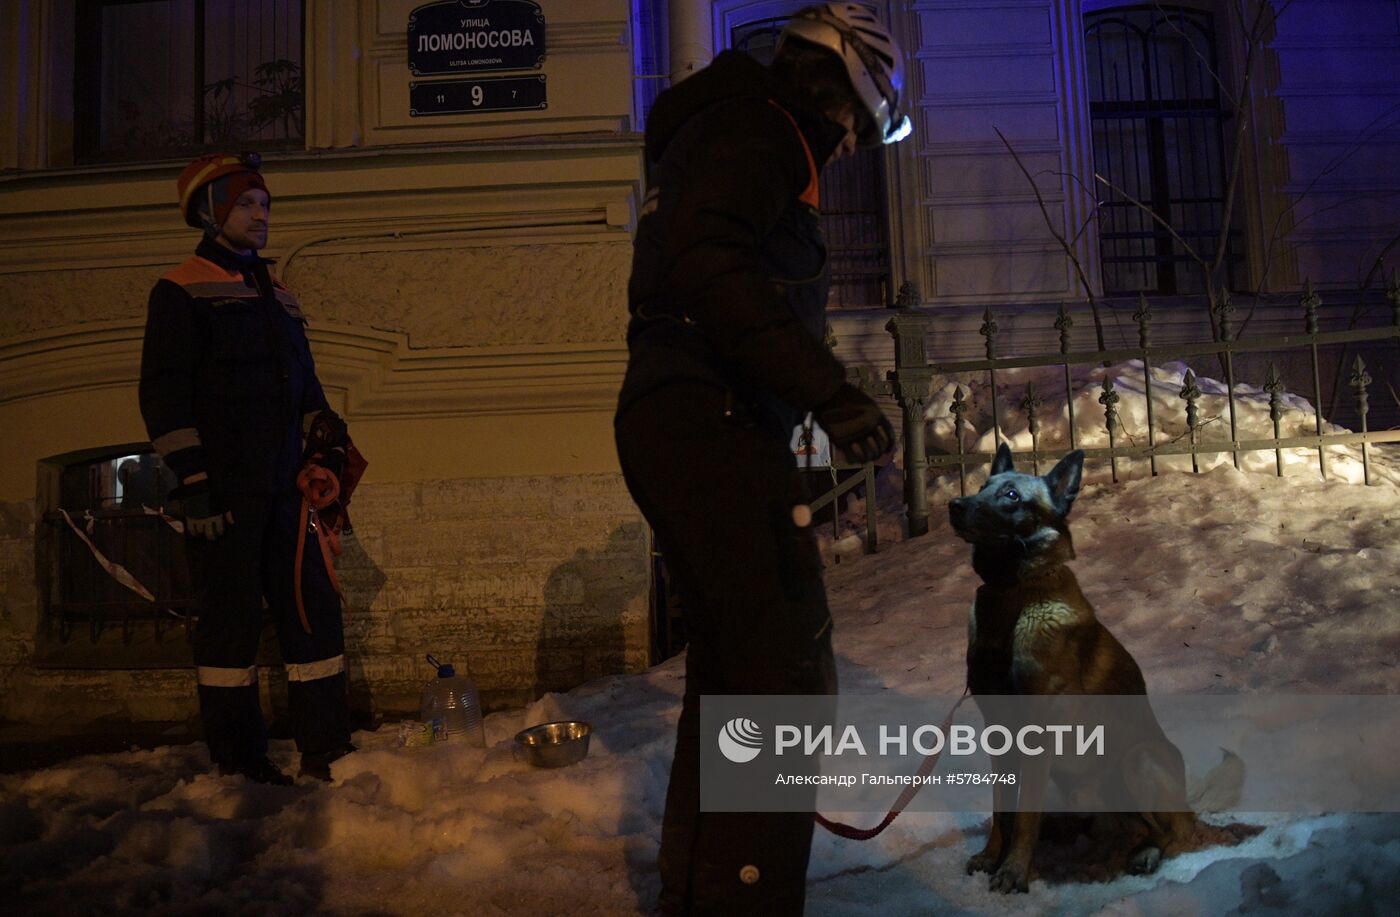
point(1032, 632)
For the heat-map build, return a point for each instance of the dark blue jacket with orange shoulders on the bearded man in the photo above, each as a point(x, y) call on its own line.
point(227, 379)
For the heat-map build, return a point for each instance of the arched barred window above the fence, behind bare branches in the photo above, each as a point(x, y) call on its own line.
point(1157, 114)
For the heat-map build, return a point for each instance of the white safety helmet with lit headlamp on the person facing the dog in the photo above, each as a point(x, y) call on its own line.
point(873, 59)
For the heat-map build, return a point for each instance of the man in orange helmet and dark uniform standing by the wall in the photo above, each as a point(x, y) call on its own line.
point(232, 404)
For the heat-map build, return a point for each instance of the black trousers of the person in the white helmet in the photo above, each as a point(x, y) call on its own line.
point(720, 498)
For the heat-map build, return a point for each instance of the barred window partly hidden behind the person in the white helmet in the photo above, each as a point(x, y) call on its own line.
point(853, 202)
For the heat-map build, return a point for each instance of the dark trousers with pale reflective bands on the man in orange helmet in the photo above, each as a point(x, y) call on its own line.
point(233, 576)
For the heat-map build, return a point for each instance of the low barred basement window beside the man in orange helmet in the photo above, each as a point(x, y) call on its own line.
point(111, 565)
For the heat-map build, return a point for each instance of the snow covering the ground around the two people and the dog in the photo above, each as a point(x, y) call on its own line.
point(1233, 582)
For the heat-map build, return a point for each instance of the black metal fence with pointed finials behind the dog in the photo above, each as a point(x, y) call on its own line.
point(913, 374)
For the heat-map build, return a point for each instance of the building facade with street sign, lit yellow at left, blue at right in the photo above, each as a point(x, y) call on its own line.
point(464, 264)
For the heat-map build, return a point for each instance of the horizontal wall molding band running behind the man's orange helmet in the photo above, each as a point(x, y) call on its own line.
point(94, 219)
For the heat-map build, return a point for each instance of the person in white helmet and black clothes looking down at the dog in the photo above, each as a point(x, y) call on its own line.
point(727, 297)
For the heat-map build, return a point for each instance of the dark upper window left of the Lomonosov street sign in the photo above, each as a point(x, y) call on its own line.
point(166, 79)
